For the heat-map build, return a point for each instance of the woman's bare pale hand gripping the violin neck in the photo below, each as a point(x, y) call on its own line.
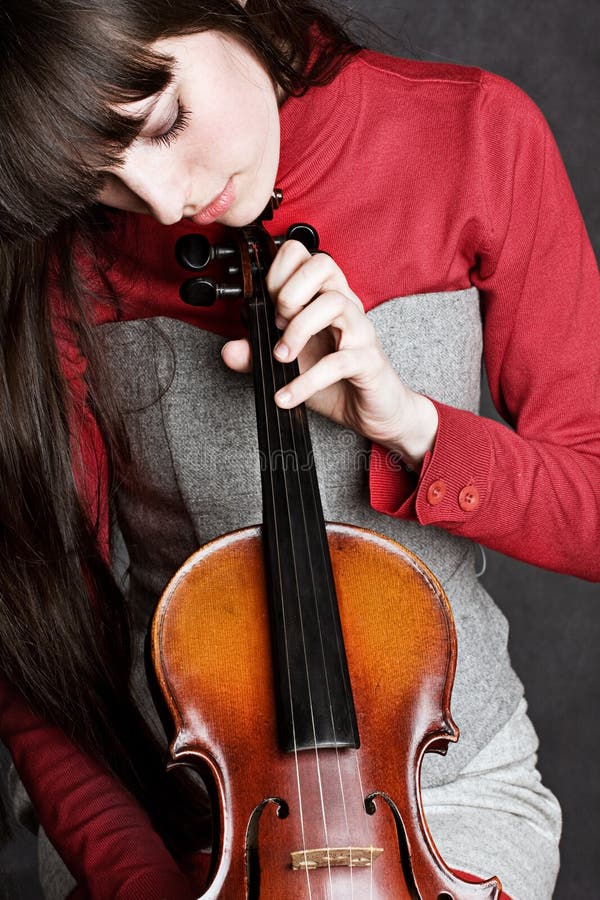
point(345, 375)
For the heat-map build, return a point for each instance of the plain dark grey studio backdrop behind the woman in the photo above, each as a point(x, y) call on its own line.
point(551, 51)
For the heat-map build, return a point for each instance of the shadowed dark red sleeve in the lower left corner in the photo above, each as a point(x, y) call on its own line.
point(103, 835)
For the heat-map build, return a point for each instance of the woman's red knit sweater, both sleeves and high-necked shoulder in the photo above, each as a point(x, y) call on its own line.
point(420, 177)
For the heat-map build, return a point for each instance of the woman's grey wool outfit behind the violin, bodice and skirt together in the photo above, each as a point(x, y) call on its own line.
point(192, 429)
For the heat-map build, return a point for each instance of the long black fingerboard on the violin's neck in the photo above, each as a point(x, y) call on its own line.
point(314, 698)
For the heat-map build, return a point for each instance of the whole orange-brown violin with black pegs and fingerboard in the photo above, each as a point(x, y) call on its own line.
point(307, 667)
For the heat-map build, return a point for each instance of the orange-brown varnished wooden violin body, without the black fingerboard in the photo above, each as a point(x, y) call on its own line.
point(335, 809)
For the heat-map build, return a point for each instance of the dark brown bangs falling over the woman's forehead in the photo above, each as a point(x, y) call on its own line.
point(61, 85)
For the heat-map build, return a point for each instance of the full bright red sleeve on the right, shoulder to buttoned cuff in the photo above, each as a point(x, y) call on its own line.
point(530, 488)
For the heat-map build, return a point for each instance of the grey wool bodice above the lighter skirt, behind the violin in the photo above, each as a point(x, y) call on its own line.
point(192, 425)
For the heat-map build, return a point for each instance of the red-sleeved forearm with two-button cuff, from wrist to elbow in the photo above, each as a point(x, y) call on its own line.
point(530, 499)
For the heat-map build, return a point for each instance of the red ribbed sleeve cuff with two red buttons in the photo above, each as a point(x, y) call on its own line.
point(453, 484)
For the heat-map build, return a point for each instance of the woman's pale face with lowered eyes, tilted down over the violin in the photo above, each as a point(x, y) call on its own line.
point(210, 147)
